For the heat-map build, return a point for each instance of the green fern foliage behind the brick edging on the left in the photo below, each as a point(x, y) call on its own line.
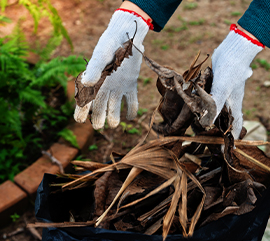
point(33, 97)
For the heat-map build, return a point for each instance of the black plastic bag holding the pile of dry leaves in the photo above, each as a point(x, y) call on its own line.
point(249, 226)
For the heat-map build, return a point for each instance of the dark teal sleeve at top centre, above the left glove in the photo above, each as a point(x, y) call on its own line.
point(159, 10)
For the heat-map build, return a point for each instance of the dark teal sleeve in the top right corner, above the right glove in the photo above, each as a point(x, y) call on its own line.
point(256, 20)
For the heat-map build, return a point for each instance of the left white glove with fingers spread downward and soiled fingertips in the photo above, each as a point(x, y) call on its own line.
point(123, 81)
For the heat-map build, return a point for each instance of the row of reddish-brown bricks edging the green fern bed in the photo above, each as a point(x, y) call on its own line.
point(15, 197)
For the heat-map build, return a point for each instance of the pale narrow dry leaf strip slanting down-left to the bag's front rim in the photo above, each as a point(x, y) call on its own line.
point(134, 172)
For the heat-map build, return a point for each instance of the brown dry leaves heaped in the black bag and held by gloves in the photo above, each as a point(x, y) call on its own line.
point(163, 186)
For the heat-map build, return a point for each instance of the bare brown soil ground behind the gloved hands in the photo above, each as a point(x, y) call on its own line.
point(206, 26)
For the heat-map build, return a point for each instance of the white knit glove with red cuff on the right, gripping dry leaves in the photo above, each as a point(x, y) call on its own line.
point(231, 68)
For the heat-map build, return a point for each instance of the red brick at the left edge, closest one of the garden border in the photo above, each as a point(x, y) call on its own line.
point(12, 200)
